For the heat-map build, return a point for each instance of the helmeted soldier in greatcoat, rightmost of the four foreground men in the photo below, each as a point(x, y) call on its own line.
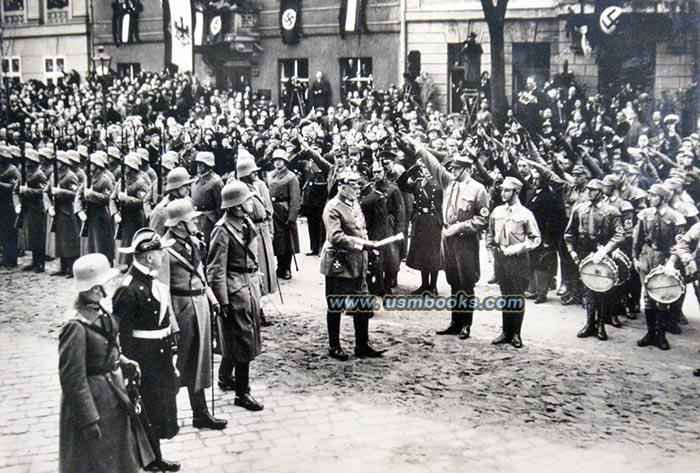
point(233, 272)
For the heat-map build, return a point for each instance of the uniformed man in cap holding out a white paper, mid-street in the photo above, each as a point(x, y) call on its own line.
point(344, 263)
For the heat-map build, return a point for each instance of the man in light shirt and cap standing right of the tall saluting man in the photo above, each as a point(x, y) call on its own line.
point(512, 233)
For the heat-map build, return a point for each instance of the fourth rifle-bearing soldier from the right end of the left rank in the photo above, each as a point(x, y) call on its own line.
point(33, 211)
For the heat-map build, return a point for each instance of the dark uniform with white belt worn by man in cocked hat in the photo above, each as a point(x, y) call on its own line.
point(142, 308)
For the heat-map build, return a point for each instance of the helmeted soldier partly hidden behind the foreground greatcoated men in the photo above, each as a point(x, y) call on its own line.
point(206, 193)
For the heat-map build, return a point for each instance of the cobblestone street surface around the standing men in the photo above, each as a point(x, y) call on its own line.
point(431, 404)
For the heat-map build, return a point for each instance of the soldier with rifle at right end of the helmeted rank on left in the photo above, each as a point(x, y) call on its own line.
point(131, 201)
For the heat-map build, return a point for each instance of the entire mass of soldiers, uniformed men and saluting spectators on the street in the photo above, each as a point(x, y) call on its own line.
point(194, 193)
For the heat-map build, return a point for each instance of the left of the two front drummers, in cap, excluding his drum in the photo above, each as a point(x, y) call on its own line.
point(594, 230)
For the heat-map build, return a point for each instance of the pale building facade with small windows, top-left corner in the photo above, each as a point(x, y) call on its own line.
point(43, 39)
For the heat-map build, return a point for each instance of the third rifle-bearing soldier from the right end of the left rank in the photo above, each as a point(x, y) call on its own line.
point(67, 223)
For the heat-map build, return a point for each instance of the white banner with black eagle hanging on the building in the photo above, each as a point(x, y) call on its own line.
point(181, 34)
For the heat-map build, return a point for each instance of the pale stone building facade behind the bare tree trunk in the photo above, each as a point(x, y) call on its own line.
point(539, 41)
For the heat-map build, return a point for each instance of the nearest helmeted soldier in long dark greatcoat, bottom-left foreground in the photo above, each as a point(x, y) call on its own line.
point(98, 431)
